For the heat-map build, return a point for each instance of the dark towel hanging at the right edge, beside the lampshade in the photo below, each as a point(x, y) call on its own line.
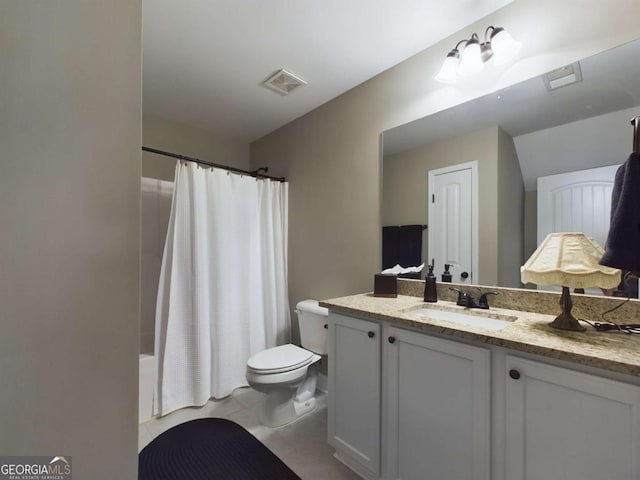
point(623, 241)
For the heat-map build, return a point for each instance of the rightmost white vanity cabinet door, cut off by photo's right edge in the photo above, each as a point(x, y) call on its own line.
point(562, 424)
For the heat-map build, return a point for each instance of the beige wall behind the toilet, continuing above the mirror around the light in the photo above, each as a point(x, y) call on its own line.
point(331, 156)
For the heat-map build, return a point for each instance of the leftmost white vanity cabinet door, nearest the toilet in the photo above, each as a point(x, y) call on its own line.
point(354, 391)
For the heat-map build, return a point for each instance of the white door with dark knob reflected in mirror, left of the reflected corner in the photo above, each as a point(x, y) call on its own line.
point(452, 221)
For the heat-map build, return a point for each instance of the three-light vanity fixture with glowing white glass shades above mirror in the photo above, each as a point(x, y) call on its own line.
point(498, 45)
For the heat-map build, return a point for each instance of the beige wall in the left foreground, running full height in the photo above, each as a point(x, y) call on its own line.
point(69, 237)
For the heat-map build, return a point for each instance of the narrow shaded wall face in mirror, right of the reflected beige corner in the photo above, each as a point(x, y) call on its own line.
point(510, 213)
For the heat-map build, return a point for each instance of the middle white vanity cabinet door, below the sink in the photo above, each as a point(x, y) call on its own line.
point(437, 408)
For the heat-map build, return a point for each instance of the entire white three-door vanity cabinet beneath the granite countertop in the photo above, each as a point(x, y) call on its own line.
point(410, 405)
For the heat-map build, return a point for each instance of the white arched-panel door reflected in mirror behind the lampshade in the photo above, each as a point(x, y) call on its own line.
point(576, 202)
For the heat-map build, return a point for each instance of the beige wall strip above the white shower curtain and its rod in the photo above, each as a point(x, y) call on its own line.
point(175, 137)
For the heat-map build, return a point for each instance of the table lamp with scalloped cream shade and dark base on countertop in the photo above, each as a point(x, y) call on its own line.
point(570, 260)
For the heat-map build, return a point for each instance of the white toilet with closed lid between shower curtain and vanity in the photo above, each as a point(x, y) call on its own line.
point(287, 374)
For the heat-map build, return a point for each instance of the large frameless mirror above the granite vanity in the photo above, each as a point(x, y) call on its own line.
point(576, 126)
